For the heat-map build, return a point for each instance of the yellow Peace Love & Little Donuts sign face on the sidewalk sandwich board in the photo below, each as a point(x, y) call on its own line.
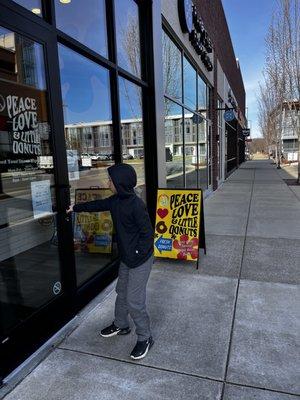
point(177, 227)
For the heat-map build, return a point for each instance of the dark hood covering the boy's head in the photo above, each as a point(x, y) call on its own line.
point(124, 178)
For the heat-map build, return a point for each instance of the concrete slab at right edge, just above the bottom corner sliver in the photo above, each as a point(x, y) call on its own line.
point(266, 337)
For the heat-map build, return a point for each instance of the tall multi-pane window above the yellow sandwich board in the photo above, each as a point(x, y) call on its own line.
point(186, 96)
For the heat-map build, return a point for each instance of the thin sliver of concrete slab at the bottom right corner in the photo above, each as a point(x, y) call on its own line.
point(245, 393)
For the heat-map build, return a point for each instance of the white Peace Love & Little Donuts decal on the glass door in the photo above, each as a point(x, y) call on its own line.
point(24, 128)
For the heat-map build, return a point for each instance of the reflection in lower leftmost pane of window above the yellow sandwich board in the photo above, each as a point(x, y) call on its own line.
point(174, 145)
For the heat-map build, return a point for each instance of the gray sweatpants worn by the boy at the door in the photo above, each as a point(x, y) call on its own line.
point(131, 298)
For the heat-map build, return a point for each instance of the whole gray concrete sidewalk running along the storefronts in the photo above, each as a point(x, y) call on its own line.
point(229, 331)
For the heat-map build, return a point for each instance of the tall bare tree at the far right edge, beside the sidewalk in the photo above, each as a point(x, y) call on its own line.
point(281, 85)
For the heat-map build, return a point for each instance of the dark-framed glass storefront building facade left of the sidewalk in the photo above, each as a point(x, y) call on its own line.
point(146, 83)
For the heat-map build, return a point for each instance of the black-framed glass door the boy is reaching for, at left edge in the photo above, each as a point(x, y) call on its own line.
point(33, 293)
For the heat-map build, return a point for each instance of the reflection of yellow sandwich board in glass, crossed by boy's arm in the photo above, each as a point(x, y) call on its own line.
point(93, 231)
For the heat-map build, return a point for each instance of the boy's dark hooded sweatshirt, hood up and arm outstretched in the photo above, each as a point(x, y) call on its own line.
point(130, 217)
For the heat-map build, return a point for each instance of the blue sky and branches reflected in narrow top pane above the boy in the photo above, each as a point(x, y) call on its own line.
point(128, 36)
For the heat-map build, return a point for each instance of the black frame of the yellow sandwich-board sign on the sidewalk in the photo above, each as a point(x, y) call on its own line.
point(201, 227)
